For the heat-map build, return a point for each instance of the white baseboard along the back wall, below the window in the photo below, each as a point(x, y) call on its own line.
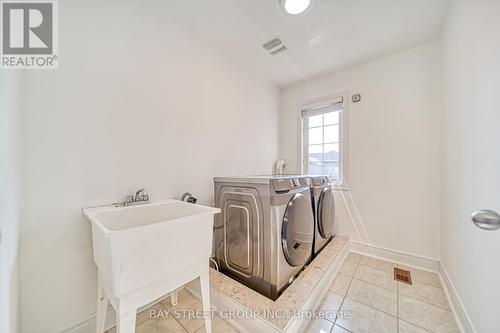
point(399, 257)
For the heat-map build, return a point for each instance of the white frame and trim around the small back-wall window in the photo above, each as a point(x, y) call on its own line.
point(306, 110)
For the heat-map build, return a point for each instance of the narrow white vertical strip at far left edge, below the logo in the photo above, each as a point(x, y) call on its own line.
point(9, 222)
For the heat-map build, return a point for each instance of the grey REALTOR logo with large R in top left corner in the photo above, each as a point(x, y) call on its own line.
point(29, 34)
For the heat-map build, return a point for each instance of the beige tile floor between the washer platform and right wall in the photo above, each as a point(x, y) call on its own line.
point(365, 288)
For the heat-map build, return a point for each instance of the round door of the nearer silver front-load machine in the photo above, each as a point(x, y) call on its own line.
point(297, 230)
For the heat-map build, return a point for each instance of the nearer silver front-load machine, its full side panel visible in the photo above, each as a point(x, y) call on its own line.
point(264, 234)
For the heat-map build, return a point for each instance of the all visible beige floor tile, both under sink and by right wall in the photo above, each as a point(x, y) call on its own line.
point(364, 288)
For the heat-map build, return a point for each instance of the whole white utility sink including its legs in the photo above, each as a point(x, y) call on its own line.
point(147, 251)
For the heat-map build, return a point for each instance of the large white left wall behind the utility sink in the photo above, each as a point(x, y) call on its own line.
point(137, 101)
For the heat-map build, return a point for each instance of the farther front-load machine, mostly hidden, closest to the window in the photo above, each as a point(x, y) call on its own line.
point(324, 211)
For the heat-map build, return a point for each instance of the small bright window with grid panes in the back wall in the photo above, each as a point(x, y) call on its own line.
point(323, 139)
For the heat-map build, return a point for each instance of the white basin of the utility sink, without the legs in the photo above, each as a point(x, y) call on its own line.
point(137, 244)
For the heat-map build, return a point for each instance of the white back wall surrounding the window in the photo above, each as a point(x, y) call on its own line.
point(394, 148)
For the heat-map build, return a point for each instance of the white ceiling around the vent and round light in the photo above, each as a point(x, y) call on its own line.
point(329, 36)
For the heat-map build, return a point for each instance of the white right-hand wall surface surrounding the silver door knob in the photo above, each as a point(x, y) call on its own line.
point(471, 177)
